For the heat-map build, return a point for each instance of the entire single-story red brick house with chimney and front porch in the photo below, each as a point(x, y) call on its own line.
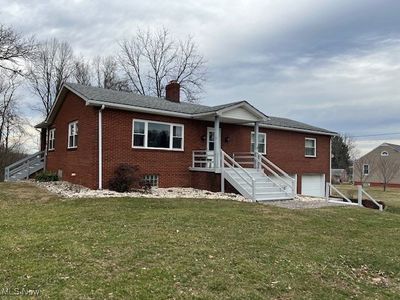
point(90, 131)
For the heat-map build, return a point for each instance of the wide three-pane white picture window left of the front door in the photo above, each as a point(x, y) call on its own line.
point(157, 135)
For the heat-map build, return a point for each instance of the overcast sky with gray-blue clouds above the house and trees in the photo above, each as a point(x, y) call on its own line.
point(333, 64)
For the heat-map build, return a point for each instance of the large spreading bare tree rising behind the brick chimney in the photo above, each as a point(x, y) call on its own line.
point(151, 59)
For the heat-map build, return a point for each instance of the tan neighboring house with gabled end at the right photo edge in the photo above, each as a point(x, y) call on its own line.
point(379, 165)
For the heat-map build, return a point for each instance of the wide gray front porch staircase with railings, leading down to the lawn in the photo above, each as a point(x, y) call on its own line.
point(263, 181)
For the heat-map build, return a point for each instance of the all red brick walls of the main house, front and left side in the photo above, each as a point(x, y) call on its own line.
point(284, 148)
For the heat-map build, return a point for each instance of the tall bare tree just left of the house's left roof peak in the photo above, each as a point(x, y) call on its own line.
point(49, 69)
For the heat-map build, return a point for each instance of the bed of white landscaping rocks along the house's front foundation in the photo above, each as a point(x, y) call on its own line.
point(68, 190)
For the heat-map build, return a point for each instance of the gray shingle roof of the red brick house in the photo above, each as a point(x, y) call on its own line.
point(133, 99)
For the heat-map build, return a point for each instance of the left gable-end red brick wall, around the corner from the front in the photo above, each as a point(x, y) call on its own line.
point(82, 161)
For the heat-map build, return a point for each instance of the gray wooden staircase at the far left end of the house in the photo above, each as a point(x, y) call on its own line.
point(25, 167)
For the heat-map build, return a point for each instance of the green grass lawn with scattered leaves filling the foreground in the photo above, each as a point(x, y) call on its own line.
point(197, 249)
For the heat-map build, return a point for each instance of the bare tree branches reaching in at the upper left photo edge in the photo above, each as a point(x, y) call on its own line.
point(14, 48)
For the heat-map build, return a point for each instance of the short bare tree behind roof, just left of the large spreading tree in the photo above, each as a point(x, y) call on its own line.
point(107, 76)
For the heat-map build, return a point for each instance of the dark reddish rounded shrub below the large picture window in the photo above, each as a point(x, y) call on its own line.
point(125, 178)
